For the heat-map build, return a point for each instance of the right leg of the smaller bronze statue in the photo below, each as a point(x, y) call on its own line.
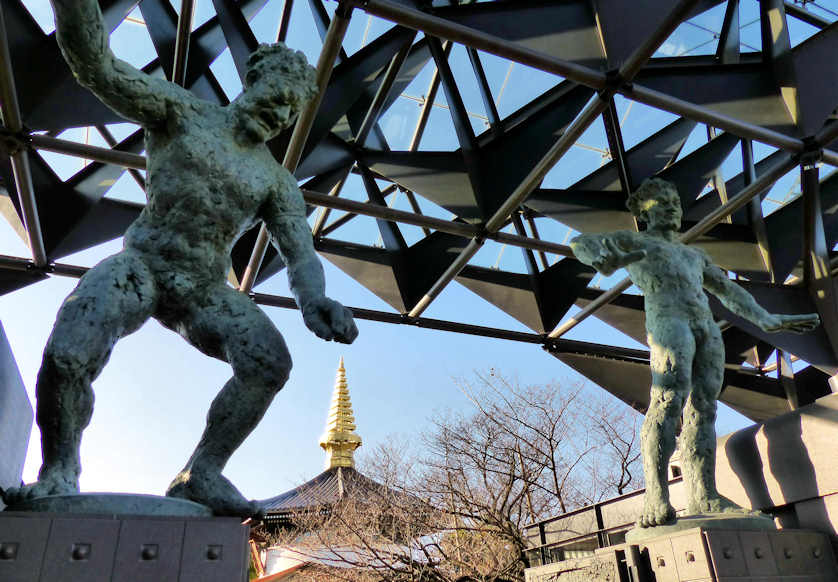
point(698, 435)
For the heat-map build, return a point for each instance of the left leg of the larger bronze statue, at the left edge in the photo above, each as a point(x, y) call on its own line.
point(112, 300)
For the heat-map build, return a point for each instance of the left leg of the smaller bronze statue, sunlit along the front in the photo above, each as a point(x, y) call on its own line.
point(671, 345)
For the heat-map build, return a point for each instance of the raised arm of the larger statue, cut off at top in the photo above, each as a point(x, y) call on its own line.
point(84, 43)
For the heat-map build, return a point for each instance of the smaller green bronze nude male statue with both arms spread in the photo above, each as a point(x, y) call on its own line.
point(686, 348)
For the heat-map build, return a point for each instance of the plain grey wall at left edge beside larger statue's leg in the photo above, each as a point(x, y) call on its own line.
point(15, 418)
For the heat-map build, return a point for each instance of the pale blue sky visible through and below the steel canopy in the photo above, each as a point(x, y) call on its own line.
point(152, 397)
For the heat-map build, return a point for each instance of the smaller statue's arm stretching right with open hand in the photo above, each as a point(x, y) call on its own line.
point(744, 305)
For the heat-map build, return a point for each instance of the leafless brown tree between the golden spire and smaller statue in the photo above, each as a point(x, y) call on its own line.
point(455, 509)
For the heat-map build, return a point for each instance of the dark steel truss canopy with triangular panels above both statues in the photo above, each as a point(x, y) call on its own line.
point(411, 212)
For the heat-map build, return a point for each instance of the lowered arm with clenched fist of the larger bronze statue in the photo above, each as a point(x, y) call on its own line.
point(285, 218)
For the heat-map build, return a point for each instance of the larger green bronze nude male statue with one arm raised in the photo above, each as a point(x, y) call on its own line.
point(210, 178)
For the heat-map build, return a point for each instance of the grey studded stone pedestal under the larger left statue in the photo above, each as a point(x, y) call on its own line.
point(51, 547)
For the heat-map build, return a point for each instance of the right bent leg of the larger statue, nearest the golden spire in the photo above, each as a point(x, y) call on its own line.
point(231, 327)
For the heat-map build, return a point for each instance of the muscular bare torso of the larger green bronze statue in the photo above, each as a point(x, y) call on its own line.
point(204, 190)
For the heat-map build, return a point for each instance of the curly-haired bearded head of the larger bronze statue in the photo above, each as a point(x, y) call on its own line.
point(278, 84)
